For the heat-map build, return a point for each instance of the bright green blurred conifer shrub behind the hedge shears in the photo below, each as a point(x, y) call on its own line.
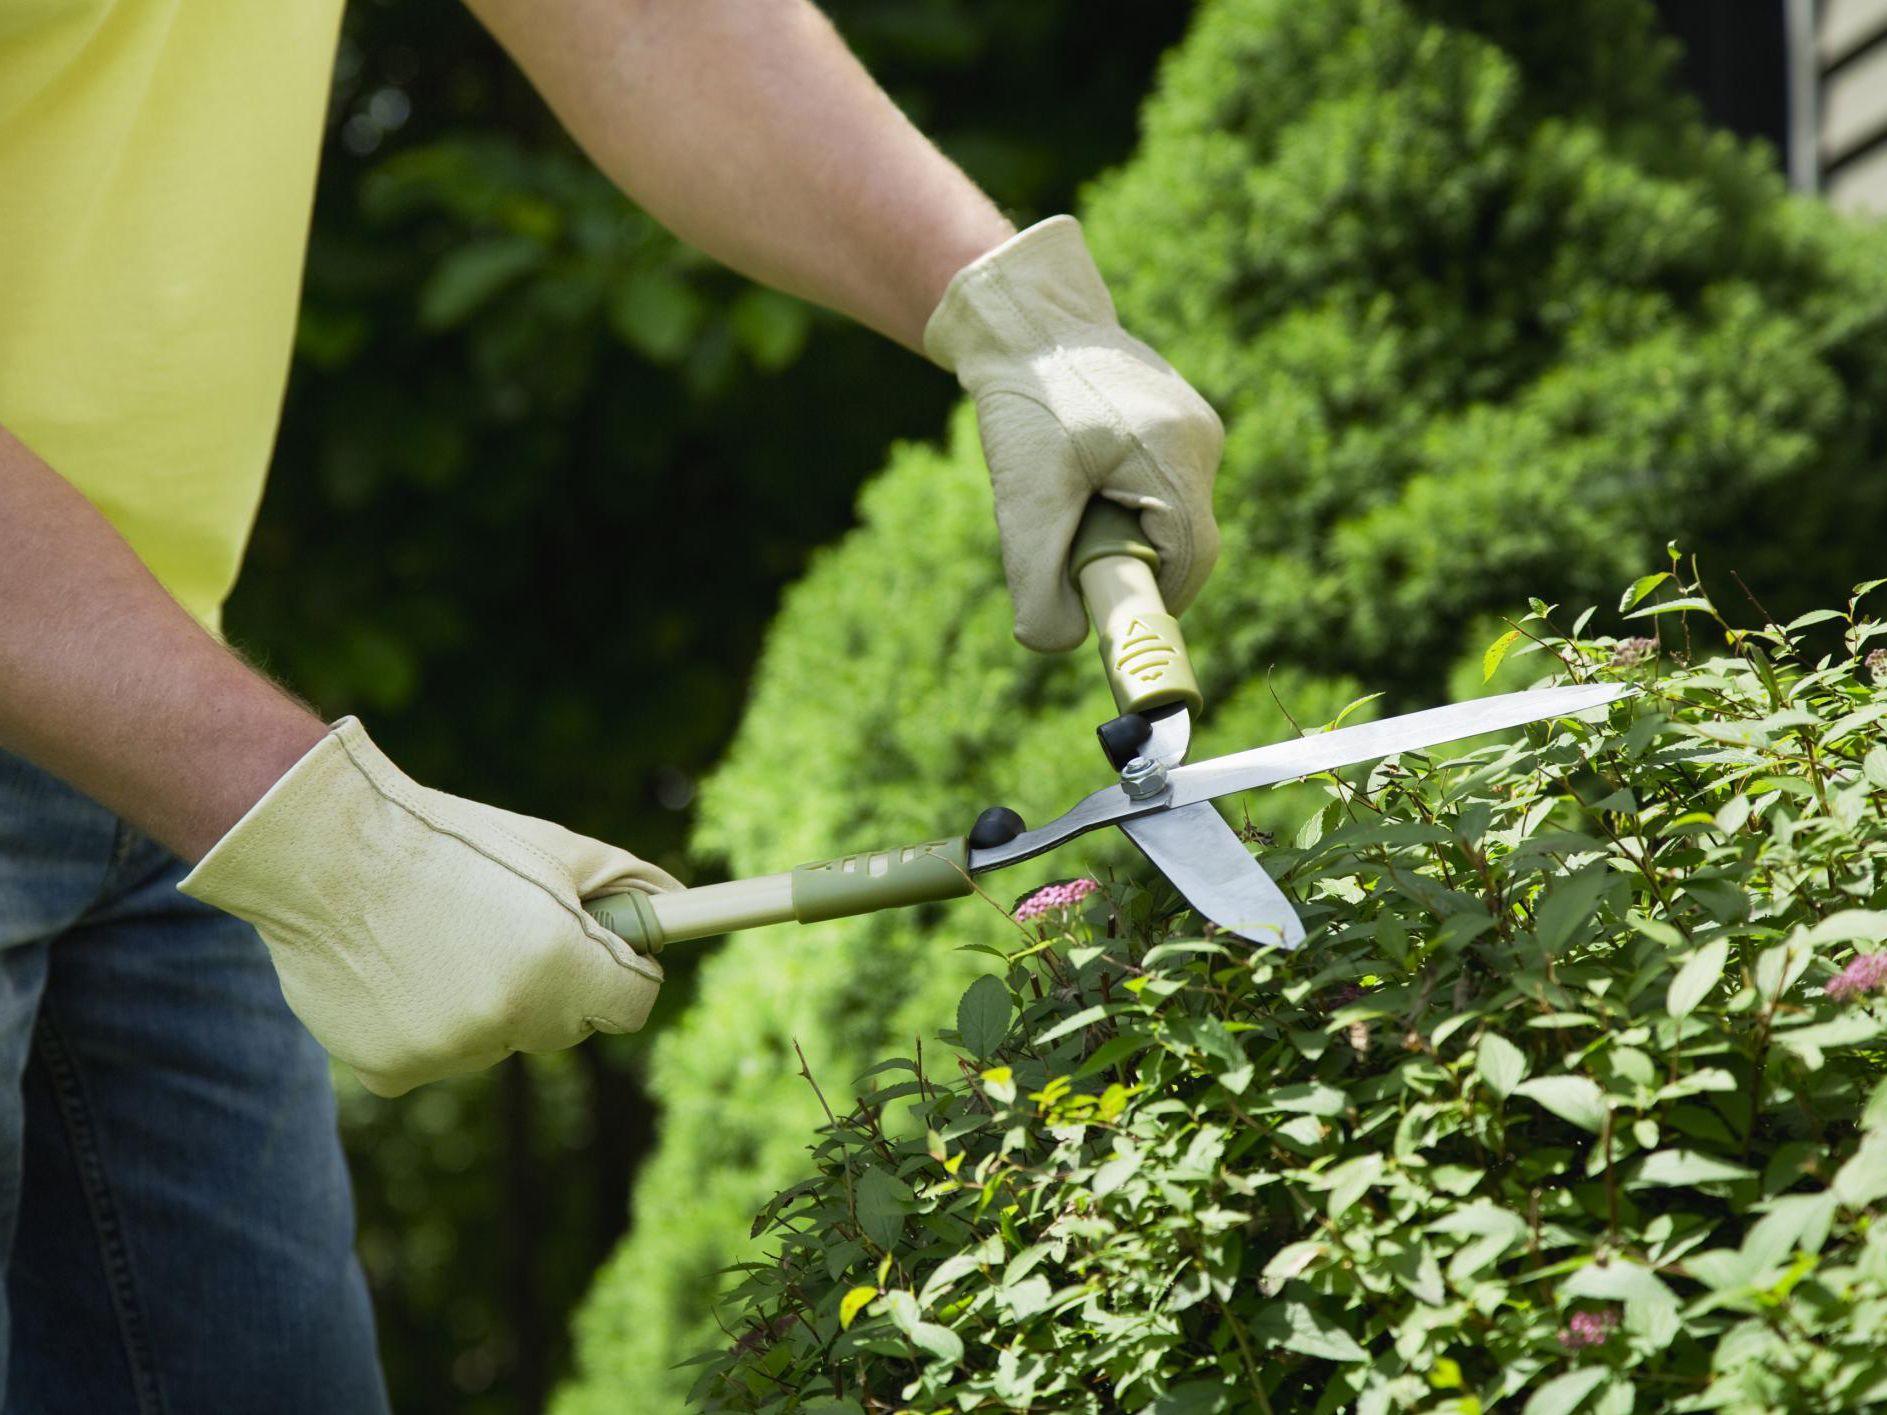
point(1486, 310)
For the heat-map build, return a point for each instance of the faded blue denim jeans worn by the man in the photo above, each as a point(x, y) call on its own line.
point(175, 1210)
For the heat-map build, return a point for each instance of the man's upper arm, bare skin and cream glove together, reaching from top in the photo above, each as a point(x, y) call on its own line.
point(748, 129)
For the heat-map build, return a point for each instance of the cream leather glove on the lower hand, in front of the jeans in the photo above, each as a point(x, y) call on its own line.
point(420, 935)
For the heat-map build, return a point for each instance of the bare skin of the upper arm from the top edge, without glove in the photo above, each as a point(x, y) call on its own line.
point(750, 131)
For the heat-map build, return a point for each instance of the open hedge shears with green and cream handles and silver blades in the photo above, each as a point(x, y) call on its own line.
point(1160, 799)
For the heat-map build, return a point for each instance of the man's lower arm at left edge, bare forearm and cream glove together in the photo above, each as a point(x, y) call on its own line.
point(418, 935)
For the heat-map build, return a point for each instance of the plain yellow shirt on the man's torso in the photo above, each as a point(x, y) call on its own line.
point(158, 165)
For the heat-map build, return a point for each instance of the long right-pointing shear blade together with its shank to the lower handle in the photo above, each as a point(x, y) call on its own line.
point(1284, 761)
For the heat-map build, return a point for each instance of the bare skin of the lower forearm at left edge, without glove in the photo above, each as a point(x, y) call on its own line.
point(109, 684)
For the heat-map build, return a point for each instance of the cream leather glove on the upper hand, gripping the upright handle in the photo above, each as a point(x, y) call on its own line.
point(1071, 405)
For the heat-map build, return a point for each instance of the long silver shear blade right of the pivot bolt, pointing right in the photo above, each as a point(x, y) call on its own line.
point(1326, 752)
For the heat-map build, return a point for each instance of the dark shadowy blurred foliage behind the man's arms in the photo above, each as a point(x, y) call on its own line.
point(541, 480)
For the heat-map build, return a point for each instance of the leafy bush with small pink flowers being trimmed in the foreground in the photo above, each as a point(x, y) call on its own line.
point(1575, 1095)
